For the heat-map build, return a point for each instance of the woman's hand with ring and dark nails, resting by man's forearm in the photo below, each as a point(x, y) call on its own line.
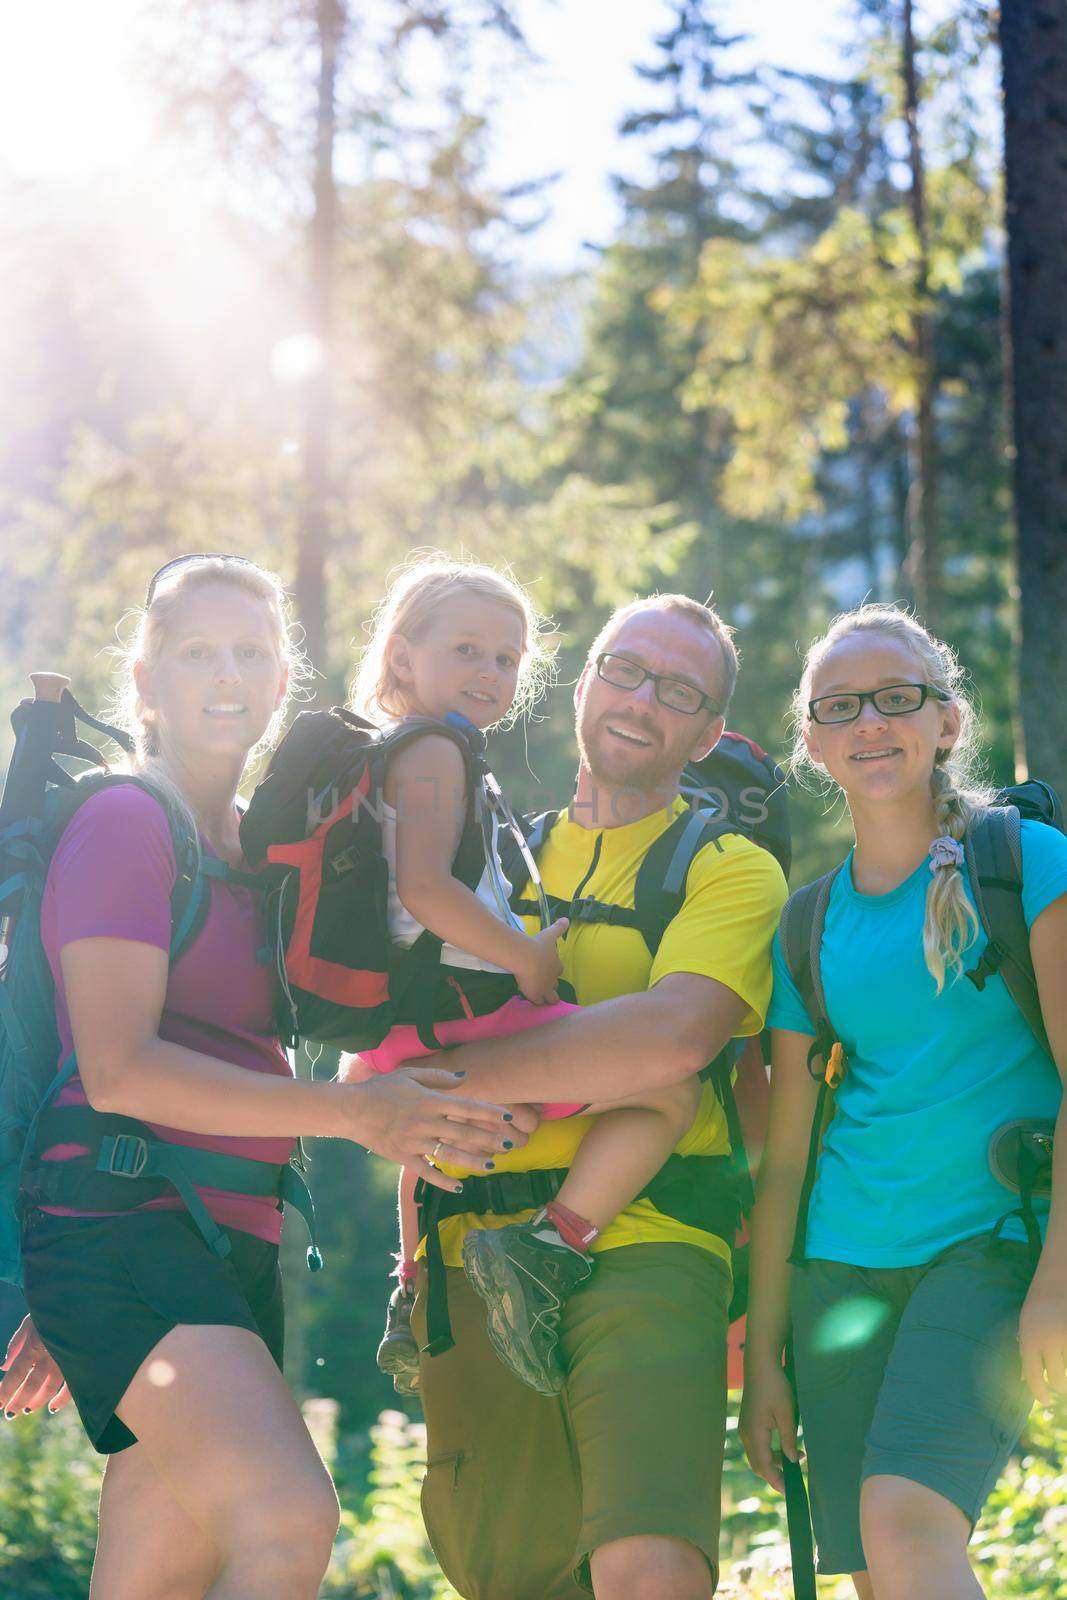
point(417, 1118)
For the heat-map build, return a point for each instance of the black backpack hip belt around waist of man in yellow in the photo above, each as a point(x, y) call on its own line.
point(700, 1191)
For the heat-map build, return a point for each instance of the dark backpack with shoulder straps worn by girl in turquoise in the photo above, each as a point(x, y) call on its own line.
point(1021, 1156)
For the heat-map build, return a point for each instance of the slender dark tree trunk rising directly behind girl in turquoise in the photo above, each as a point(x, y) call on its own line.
point(927, 554)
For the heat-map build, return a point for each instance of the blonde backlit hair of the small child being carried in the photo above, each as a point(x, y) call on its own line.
point(414, 599)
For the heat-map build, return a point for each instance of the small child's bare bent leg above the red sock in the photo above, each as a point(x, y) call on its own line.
point(625, 1150)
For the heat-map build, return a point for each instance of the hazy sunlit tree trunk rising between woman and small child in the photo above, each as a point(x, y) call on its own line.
point(314, 535)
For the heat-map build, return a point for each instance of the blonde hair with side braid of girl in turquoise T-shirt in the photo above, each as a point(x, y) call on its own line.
point(954, 783)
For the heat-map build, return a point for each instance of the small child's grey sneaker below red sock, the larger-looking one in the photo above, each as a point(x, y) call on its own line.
point(526, 1273)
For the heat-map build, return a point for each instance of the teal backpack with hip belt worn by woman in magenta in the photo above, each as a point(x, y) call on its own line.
point(126, 1164)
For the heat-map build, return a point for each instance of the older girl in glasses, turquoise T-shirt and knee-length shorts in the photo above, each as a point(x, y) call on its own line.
point(916, 1318)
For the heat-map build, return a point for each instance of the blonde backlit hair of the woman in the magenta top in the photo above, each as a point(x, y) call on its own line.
point(151, 626)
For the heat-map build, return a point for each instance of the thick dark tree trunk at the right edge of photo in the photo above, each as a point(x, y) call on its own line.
point(1034, 57)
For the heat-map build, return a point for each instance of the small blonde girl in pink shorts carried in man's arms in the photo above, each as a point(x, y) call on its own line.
point(460, 639)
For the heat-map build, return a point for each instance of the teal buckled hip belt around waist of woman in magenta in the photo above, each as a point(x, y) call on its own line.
point(126, 1166)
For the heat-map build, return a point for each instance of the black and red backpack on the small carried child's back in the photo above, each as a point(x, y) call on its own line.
point(314, 828)
